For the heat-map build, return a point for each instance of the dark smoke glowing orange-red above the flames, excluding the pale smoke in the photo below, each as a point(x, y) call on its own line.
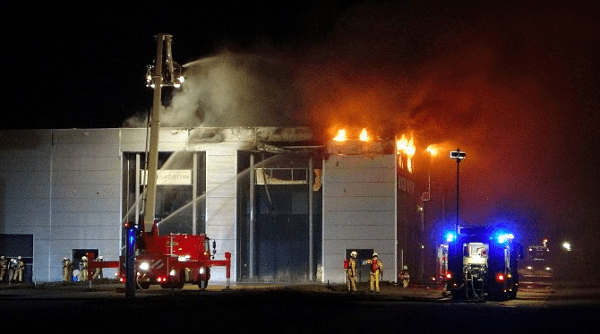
point(514, 87)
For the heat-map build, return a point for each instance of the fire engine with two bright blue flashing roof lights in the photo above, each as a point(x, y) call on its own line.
point(482, 264)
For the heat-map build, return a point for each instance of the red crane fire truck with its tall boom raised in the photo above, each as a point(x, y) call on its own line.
point(168, 260)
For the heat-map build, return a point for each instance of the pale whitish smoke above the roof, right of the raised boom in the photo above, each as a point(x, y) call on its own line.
point(230, 90)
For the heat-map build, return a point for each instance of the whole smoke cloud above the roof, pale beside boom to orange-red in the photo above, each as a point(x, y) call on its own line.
point(515, 86)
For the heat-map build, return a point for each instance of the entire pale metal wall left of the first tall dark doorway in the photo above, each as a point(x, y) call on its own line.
point(62, 186)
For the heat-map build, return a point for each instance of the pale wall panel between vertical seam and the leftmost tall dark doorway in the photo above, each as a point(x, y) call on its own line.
point(85, 204)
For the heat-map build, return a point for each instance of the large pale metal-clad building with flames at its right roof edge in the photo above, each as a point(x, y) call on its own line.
point(287, 207)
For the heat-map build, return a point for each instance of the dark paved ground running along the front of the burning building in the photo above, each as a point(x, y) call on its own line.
point(300, 308)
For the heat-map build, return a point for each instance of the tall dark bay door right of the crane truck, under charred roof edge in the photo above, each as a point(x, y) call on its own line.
point(281, 204)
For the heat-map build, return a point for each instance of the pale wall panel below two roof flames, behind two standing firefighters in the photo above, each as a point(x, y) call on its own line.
point(359, 211)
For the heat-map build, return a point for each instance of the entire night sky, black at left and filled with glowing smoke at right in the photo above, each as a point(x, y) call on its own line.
point(514, 85)
